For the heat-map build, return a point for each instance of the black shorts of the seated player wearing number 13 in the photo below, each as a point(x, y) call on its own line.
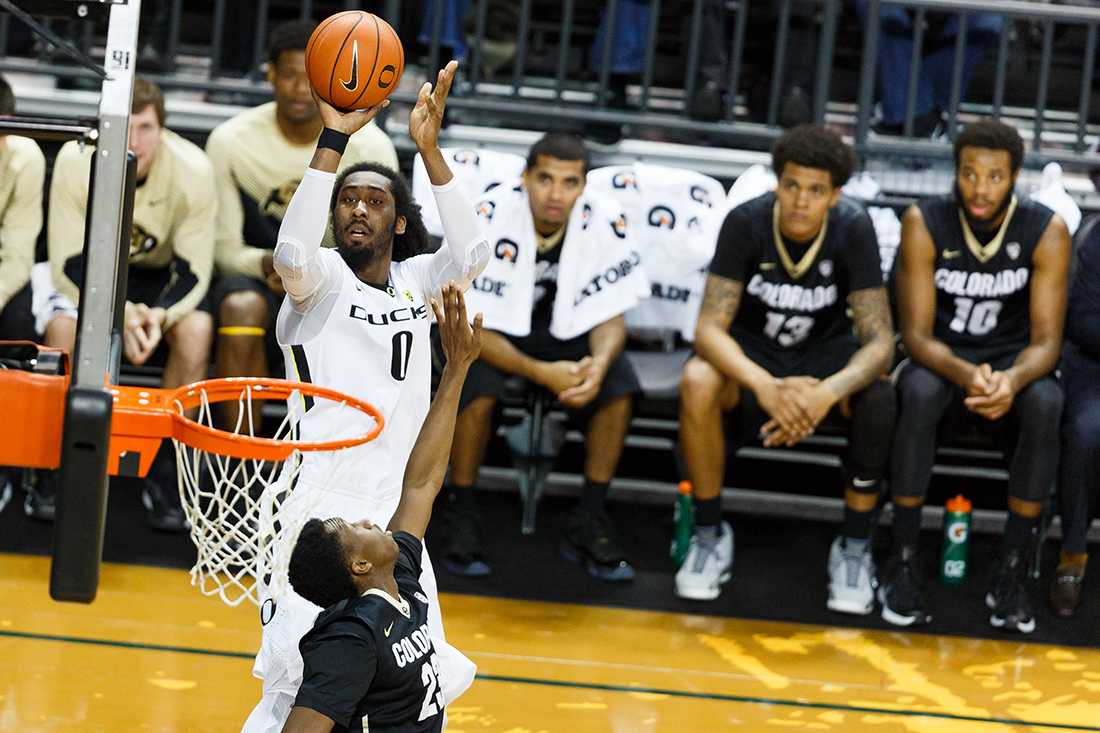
point(820, 362)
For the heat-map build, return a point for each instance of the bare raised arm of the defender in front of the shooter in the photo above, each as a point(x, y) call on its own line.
point(424, 475)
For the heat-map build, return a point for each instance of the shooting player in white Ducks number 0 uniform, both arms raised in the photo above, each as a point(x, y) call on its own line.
point(357, 320)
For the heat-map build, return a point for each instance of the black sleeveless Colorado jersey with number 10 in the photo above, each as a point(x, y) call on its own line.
point(984, 291)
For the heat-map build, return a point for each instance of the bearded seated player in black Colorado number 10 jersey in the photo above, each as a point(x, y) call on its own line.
point(982, 287)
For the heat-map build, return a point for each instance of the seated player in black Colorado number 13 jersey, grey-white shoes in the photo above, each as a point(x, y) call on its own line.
point(775, 341)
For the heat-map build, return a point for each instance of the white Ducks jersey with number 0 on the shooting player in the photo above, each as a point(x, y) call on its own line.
point(373, 344)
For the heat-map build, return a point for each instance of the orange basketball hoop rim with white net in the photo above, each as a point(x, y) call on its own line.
point(238, 488)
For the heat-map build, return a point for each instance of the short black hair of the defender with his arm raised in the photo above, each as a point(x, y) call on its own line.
point(320, 567)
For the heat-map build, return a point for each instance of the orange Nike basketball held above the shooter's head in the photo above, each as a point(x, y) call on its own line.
point(355, 60)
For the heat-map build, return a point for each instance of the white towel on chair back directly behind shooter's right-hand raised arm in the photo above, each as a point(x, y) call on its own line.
point(477, 171)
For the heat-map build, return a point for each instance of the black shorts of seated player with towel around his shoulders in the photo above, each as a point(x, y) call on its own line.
point(485, 380)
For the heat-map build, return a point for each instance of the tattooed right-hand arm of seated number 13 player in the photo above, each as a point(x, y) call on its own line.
point(871, 311)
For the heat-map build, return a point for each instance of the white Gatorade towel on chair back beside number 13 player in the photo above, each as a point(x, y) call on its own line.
point(678, 215)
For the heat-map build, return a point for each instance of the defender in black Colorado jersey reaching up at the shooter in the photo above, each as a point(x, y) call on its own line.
point(370, 663)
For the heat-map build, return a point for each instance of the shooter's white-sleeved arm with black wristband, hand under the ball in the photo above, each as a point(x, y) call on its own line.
point(300, 236)
